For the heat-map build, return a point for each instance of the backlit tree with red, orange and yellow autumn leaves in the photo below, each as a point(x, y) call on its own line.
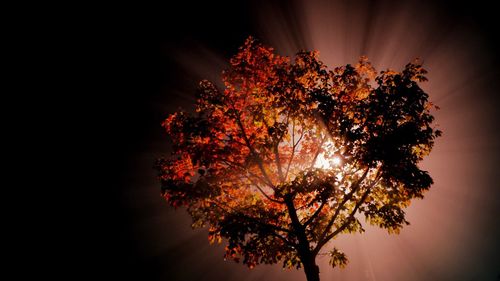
point(281, 160)
